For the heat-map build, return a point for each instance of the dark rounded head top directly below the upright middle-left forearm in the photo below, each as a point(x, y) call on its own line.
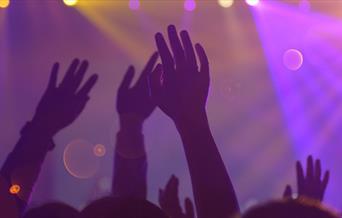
point(110, 207)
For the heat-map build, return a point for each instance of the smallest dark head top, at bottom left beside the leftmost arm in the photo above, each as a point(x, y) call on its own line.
point(52, 210)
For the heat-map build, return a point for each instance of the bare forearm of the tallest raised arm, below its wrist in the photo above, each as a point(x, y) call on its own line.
point(213, 190)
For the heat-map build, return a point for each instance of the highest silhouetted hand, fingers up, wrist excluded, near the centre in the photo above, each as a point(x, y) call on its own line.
point(178, 87)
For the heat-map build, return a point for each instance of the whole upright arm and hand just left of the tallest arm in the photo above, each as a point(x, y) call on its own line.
point(134, 106)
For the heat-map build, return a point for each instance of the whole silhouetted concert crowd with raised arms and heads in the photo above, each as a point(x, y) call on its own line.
point(179, 86)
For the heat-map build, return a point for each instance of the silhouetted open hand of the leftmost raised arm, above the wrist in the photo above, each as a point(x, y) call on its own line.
point(62, 104)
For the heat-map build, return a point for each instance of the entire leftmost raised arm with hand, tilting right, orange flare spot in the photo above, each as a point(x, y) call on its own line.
point(58, 108)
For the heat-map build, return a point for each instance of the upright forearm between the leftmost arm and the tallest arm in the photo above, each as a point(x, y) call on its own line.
point(130, 163)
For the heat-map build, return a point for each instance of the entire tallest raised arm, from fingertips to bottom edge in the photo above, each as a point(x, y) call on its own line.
point(180, 89)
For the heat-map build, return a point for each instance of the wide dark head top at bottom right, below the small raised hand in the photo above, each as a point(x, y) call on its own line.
point(290, 208)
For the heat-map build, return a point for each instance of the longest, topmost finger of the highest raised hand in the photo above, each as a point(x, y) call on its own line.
point(176, 46)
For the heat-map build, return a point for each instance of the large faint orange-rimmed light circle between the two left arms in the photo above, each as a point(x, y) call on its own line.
point(79, 159)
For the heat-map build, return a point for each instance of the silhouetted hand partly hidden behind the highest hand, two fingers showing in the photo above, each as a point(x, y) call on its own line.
point(137, 100)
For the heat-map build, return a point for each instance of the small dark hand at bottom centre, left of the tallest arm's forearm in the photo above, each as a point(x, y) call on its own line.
point(169, 201)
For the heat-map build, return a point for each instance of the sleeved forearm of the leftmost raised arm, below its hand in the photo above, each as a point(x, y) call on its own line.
point(23, 164)
